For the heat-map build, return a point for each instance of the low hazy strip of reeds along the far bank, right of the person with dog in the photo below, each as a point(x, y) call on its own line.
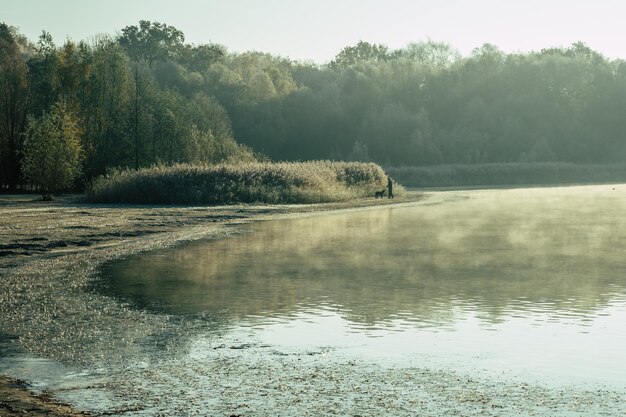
point(508, 174)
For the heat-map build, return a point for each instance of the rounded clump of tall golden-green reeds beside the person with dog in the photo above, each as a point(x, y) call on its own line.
point(282, 182)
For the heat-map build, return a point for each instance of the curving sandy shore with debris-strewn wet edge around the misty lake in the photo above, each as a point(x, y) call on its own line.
point(126, 362)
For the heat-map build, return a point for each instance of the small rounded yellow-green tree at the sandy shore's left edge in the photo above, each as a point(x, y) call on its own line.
point(52, 151)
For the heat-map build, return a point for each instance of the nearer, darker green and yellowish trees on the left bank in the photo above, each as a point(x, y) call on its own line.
point(118, 102)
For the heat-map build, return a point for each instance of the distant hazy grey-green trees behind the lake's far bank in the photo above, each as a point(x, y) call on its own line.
point(425, 105)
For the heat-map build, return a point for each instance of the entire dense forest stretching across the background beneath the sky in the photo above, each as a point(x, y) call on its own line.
point(145, 97)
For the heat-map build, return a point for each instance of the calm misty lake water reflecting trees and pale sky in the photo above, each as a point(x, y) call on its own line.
point(530, 282)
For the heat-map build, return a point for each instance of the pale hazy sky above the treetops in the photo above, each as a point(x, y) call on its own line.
point(317, 29)
